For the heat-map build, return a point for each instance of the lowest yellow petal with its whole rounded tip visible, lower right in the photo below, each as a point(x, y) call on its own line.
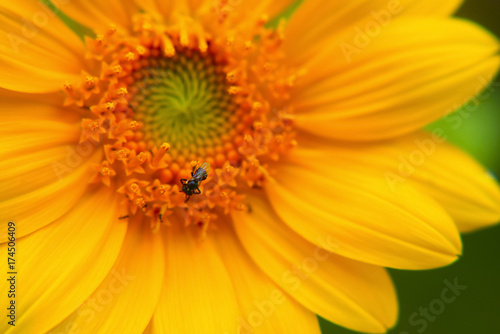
point(352, 294)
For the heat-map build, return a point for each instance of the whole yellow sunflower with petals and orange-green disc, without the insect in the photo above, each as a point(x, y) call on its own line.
point(309, 130)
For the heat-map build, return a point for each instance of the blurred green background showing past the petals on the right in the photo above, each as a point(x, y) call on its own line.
point(477, 309)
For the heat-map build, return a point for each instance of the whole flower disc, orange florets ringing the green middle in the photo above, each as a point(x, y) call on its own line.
point(165, 100)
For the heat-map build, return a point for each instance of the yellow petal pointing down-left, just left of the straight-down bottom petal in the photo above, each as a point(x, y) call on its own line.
point(125, 300)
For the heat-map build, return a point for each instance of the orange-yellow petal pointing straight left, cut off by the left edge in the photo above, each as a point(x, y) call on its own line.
point(35, 136)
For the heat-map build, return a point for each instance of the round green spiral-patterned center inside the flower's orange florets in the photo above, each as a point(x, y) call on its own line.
point(183, 100)
